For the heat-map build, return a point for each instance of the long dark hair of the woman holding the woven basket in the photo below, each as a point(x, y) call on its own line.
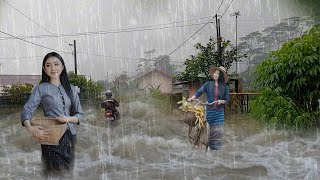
point(63, 78)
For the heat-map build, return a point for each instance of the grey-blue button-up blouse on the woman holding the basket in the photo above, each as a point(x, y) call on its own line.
point(54, 101)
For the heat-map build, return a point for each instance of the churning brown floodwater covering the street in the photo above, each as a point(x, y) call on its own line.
point(145, 144)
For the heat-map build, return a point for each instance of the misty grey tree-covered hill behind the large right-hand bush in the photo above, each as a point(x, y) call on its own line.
point(257, 45)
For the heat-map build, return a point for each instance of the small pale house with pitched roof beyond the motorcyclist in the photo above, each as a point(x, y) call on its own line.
point(154, 79)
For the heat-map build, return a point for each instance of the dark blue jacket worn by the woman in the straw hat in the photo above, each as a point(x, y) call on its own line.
point(213, 94)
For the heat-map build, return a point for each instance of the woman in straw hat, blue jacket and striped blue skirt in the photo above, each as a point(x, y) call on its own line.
point(217, 92)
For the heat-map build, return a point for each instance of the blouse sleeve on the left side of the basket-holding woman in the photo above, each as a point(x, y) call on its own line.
point(31, 105)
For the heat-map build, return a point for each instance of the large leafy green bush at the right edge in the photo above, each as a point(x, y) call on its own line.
point(289, 80)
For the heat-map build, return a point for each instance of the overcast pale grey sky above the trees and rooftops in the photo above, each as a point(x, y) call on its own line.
point(112, 35)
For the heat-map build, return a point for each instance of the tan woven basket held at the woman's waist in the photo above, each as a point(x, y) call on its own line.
point(56, 128)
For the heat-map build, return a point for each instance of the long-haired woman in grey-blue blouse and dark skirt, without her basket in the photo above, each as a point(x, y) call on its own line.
point(59, 100)
